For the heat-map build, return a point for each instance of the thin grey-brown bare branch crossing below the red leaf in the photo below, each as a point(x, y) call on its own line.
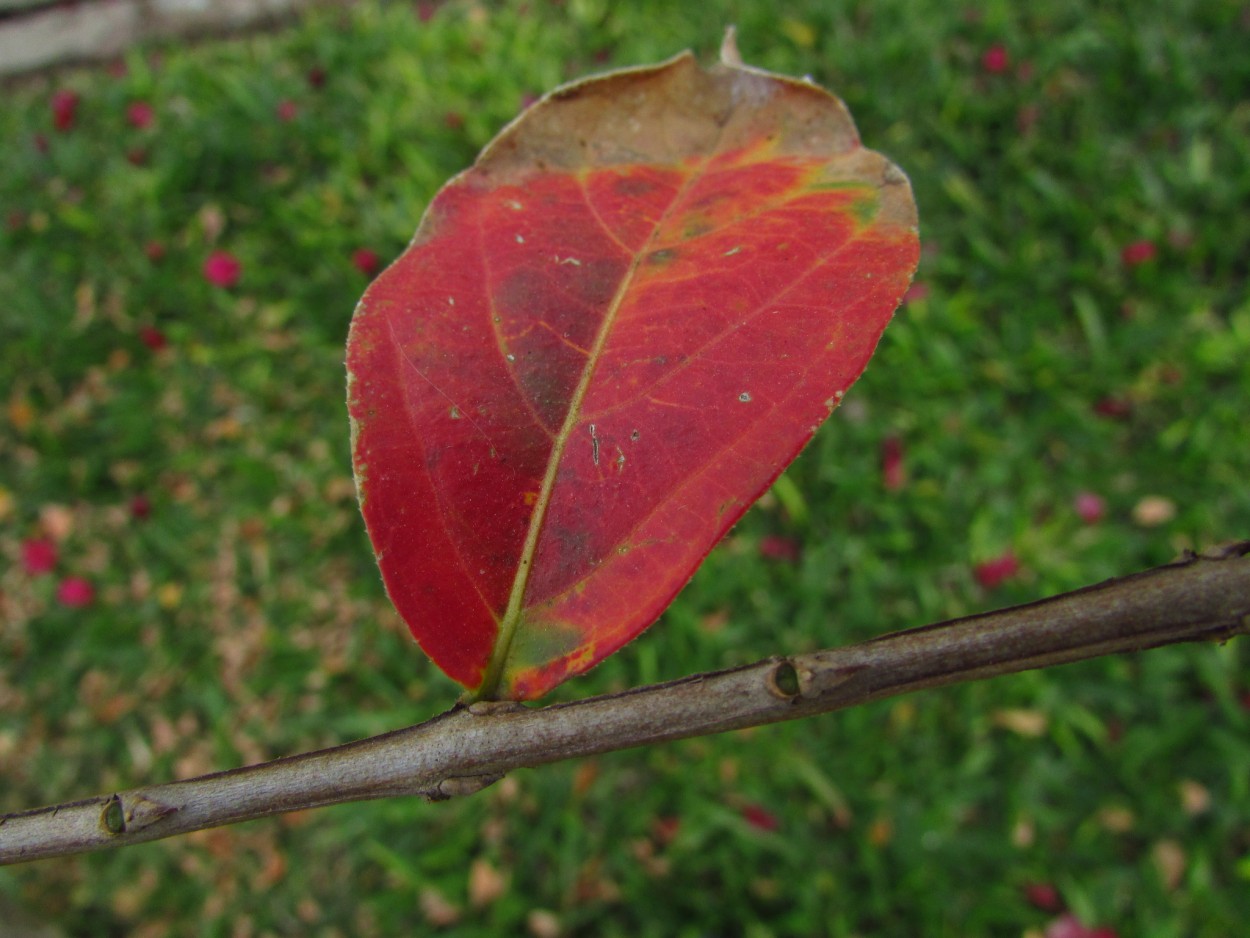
point(463, 751)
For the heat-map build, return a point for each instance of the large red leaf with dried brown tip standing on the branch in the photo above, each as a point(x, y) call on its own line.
point(606, 342)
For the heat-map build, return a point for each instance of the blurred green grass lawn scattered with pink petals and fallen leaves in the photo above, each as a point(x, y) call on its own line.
point(186, 583)
